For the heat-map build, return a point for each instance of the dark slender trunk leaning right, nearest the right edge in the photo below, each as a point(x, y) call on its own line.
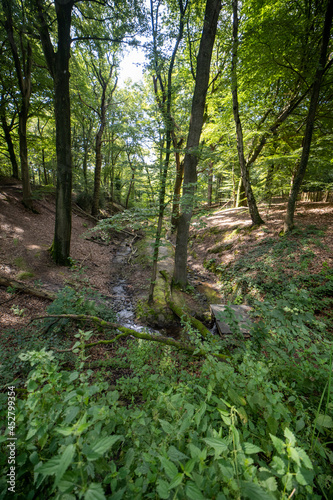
point(299, 175)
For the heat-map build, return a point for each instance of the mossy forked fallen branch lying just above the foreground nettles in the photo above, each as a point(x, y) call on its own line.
point(126, 332)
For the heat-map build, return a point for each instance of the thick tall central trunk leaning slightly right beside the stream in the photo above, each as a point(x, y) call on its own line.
point(213, 8)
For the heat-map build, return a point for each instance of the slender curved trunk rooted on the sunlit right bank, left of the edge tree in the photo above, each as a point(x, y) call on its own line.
point(254, 213)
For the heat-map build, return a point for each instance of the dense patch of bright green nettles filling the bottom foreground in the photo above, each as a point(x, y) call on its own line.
point(216, 431)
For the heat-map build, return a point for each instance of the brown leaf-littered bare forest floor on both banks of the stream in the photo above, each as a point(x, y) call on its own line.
point(221, 237)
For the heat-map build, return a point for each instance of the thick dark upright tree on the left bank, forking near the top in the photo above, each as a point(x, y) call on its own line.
point(58, 65)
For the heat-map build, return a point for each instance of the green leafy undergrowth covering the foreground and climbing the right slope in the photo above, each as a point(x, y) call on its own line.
point(151, 422)
